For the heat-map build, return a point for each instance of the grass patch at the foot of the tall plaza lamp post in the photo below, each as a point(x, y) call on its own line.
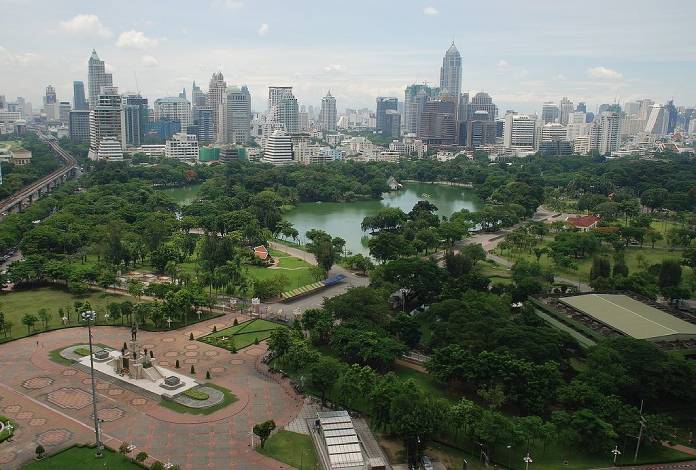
point(84, 459)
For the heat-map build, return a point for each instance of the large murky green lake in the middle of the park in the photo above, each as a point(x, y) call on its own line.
point(343, 219)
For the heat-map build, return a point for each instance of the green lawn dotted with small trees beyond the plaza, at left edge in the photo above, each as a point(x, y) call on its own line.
point(18, 303)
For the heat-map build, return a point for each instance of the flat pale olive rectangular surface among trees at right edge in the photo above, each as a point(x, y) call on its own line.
point(632, 317)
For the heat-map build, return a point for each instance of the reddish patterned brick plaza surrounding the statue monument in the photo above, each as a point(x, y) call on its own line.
point(51, 402)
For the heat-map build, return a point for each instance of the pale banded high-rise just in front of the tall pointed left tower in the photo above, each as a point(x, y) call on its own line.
point(107, 126)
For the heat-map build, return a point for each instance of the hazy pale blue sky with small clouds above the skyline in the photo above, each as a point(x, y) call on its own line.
point(522, 52)
